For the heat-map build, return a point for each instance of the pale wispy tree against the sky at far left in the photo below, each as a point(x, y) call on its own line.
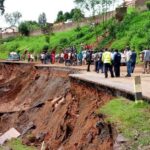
point(13, 18)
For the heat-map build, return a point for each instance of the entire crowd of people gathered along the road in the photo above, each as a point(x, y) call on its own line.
point(105, 60)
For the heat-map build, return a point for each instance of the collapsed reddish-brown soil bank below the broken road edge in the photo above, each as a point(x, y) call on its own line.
point(60, 112)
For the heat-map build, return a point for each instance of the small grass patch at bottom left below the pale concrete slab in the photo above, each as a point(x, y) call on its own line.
point(16, 144)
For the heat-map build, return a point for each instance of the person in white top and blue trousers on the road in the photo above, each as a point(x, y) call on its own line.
point(128, 60)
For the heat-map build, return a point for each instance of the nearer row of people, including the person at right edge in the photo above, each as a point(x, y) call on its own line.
point(110, 60)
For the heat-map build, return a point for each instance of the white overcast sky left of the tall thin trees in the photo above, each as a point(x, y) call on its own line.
point(31, 9)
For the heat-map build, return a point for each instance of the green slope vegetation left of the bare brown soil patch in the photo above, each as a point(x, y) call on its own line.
point(36, 43)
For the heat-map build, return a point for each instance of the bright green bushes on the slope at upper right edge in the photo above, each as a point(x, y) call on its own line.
point(134, 31)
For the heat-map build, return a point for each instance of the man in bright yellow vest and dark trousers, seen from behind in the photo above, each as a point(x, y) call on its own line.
point(107, 60)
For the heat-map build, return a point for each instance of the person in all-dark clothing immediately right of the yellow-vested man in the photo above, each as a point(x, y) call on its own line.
point(117, 63)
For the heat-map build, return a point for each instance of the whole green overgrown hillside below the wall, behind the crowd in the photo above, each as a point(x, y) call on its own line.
point(134, 31)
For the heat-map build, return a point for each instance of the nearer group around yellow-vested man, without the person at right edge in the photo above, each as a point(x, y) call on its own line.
point(110, 60)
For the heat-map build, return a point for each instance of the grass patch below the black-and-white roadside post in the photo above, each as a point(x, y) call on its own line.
point(133, 120)
